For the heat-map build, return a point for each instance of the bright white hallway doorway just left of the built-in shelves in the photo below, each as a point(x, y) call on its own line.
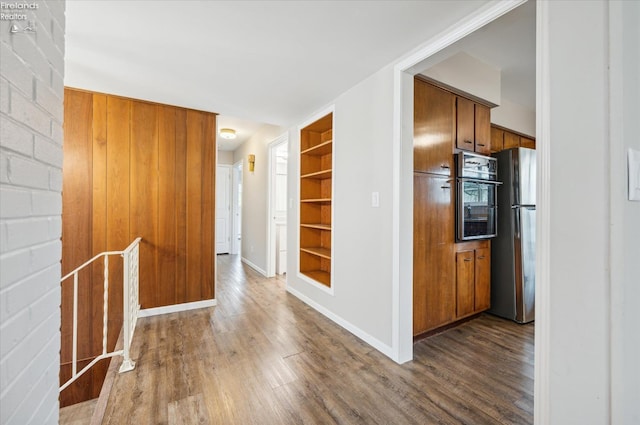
point(277, 219)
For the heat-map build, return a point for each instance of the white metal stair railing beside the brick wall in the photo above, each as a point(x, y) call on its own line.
point(131, 306)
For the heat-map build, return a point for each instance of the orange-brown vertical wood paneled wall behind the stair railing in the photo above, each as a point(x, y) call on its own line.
point(133, 168)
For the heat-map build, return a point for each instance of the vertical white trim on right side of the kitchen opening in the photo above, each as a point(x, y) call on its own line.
point(542, 344)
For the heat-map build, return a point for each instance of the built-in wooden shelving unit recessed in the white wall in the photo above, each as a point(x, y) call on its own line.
point(316, 179)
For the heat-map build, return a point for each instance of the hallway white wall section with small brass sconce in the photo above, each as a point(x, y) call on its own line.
point(254, 196)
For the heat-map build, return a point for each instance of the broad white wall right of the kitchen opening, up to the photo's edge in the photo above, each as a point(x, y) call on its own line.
point(593, 344)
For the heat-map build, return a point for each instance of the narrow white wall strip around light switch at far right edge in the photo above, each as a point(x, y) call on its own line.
point(625, 215)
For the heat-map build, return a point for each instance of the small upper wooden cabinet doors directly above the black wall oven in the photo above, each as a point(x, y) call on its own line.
point(473, 126)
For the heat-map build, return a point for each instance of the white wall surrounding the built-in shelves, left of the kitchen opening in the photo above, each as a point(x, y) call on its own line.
point(362, 149)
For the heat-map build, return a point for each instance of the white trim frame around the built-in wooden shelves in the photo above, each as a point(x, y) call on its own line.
point(331, 109)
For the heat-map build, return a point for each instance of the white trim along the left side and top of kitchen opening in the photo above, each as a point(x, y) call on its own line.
point(402, 243)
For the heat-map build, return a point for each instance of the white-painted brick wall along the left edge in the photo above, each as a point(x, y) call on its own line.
point(31, 95)
